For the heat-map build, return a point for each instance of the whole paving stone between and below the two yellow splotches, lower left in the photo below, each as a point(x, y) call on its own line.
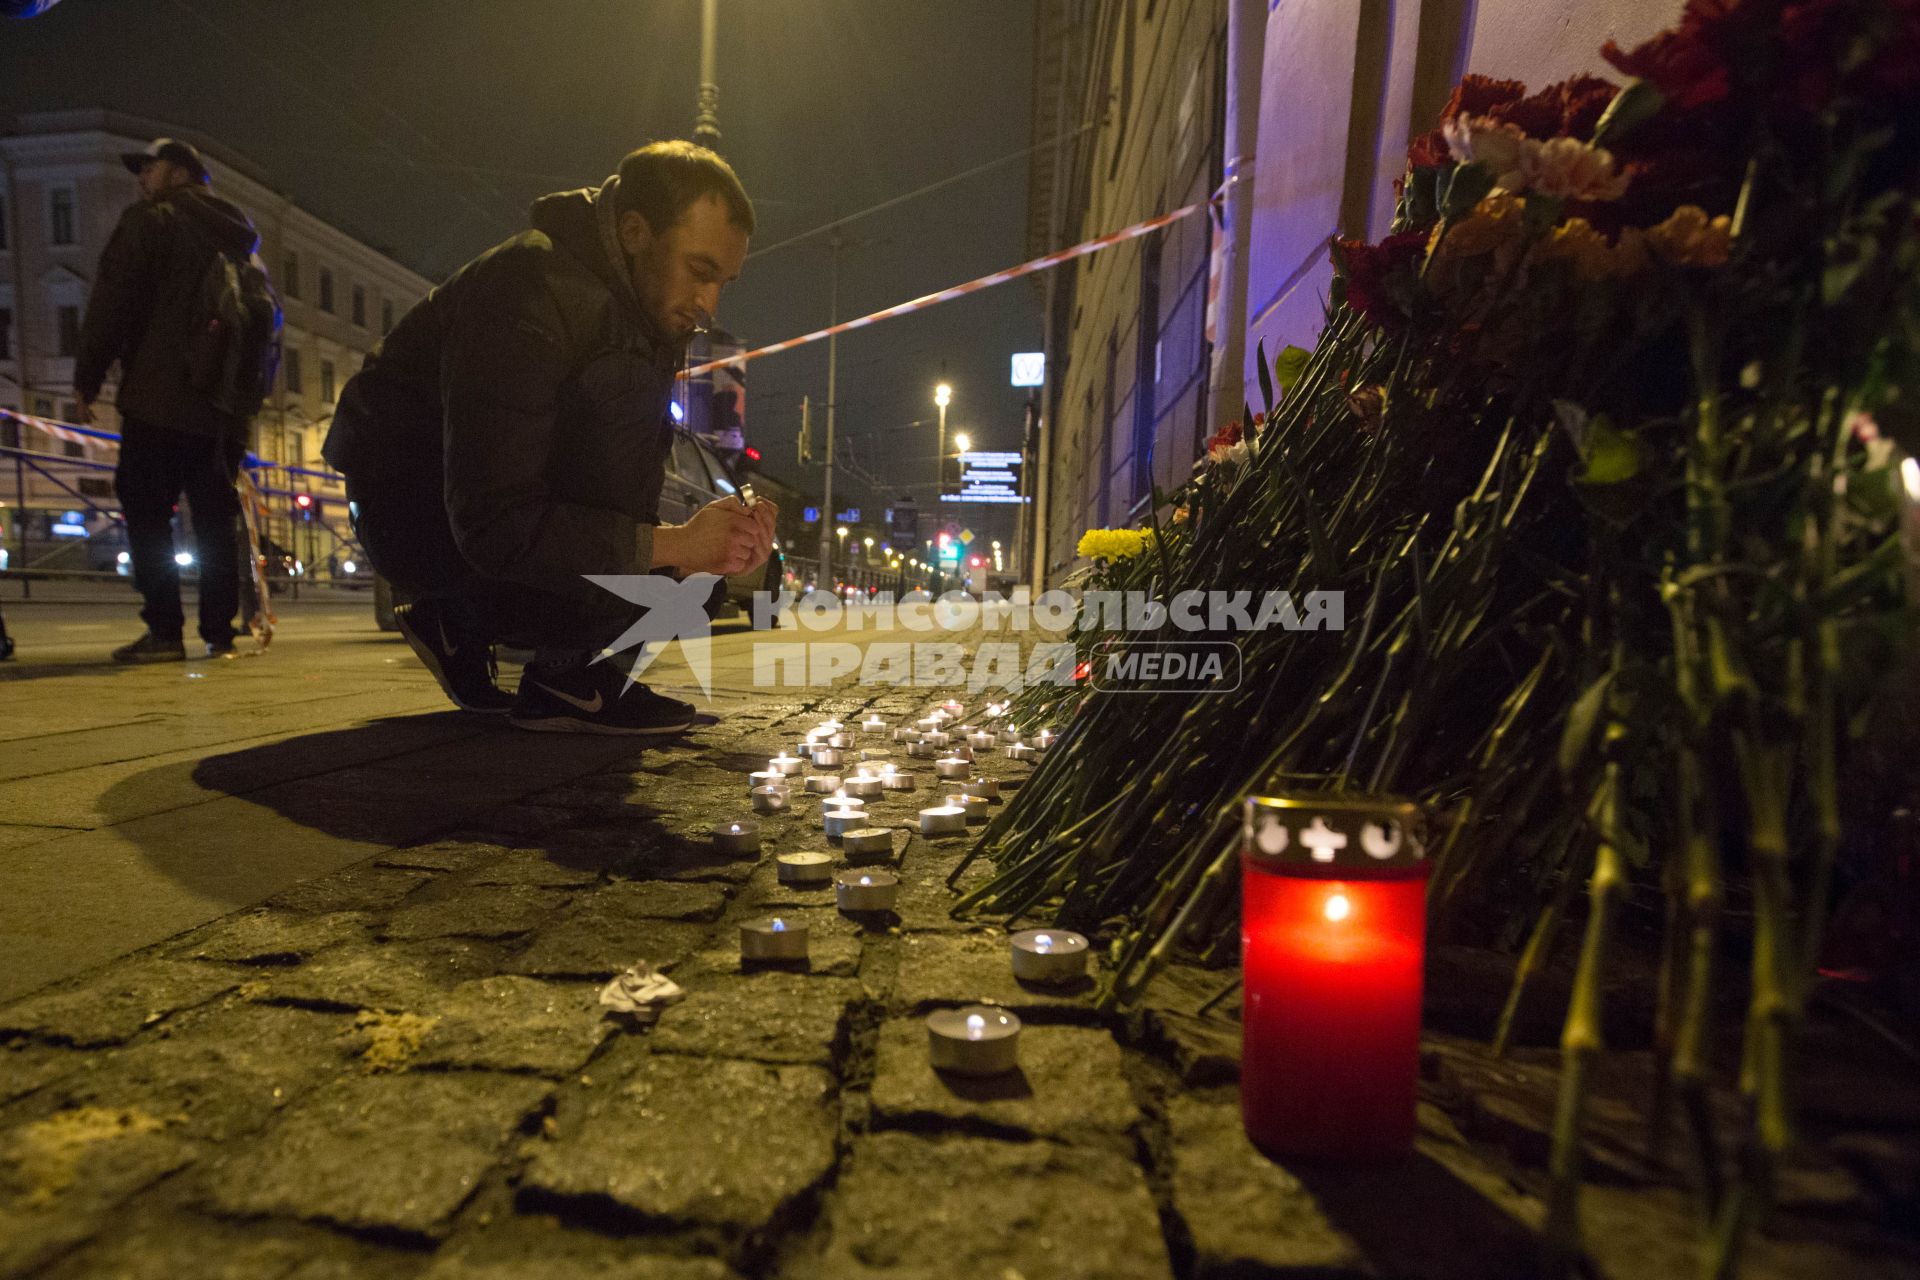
point(389, 1154)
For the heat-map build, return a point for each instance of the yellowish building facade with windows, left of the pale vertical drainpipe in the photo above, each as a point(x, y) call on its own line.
point(1126, 398)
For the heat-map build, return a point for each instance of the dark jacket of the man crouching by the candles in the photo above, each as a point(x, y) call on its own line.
point(527, 398)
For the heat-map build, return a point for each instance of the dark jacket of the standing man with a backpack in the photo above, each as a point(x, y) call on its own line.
point(145, 306)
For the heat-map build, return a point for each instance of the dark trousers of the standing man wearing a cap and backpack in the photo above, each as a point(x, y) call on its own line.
point(156, 467)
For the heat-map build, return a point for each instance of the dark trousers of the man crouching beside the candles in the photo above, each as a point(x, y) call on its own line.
point(410, 542)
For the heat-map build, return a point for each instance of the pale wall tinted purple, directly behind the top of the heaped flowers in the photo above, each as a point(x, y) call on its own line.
point(1347, 83)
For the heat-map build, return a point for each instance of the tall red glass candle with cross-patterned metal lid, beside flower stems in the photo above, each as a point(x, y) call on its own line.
point(1333, 937)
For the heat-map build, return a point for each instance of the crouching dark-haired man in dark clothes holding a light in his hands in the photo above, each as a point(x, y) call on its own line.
point(512, 437)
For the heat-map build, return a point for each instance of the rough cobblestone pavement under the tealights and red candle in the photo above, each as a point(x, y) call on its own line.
point(398, 1068)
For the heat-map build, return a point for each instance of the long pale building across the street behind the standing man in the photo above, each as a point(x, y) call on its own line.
point(62, 189)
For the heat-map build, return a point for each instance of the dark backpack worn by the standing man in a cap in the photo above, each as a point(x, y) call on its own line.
point(233, 344)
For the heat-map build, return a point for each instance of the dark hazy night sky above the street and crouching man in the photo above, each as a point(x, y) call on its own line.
point(429, 126)
